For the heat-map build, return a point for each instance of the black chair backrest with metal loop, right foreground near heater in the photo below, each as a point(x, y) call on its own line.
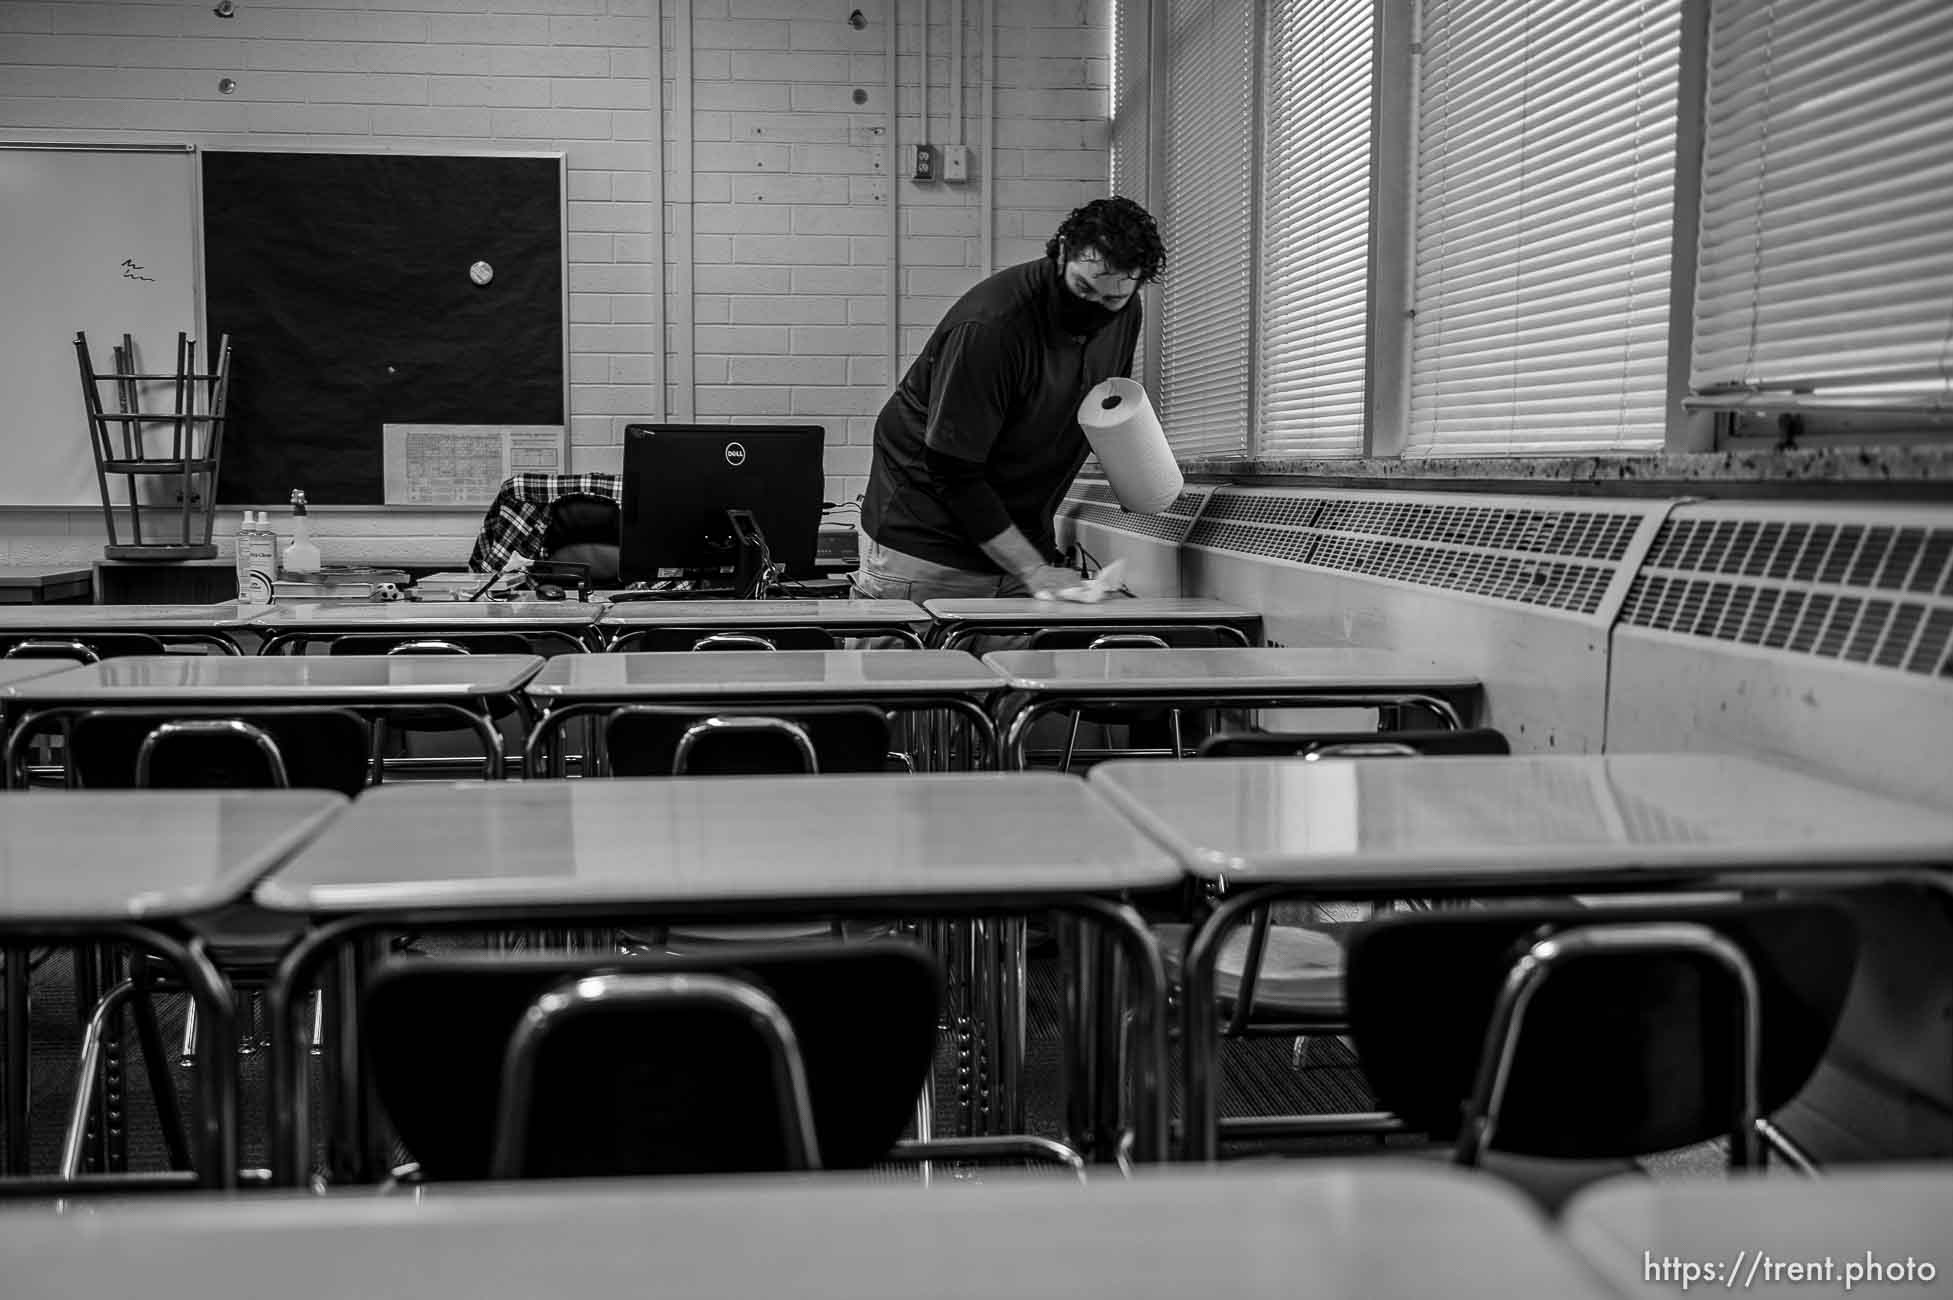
point(1616, 1057)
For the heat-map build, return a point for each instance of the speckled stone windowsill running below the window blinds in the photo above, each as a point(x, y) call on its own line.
point(1923, 471)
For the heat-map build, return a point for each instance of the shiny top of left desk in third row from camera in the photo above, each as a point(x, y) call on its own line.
point(280, 680)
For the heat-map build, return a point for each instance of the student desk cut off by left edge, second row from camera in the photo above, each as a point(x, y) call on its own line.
point(138, 868)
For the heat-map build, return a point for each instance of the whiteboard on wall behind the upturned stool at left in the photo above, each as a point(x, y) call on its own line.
point(97, 239)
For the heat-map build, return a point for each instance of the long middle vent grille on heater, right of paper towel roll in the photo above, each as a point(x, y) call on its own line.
point(1524, 553)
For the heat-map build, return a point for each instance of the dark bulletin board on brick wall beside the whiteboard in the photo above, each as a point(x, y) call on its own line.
point(343, 282)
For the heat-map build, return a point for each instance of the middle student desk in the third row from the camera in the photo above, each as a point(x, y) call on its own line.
point(909, 680)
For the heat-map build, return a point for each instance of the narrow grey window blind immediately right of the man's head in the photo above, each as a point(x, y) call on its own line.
point(1204, 335)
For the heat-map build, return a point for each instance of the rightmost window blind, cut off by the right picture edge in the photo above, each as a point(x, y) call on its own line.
point(1825, 259)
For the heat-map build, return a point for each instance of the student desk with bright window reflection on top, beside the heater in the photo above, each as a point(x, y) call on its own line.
point(1479, 827)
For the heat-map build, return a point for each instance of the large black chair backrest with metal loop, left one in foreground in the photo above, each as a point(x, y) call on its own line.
point(649, 1088)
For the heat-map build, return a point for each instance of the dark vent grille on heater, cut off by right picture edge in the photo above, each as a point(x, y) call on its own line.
point(1850, 590)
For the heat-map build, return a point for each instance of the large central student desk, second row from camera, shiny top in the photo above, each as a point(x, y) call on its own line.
point(700, 850)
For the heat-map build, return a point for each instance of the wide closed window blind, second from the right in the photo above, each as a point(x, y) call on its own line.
point(1544, 222)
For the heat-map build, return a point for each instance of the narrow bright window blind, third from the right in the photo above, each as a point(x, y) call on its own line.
point(1315, 227)
